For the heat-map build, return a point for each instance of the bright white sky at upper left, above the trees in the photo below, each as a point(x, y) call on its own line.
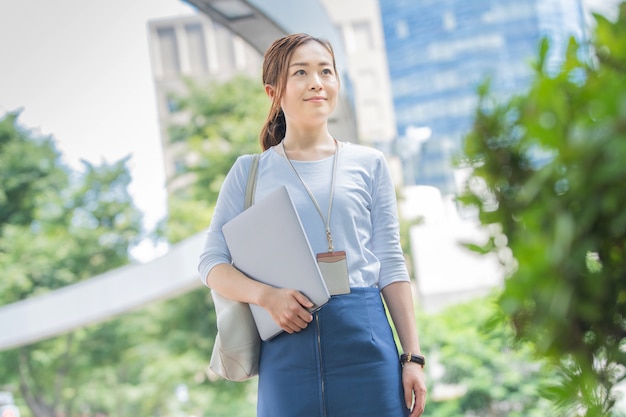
point(81, 72)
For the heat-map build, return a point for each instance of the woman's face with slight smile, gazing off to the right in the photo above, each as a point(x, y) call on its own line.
point(310, 94)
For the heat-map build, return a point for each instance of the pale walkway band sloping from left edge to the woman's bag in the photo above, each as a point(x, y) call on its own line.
point(102, 297)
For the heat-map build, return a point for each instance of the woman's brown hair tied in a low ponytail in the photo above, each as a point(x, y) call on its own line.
point(275, 68)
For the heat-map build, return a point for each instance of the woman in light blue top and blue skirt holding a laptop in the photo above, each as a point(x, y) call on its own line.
point(341, 360)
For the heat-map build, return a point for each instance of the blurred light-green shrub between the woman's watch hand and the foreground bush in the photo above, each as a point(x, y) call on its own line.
point(476, 369)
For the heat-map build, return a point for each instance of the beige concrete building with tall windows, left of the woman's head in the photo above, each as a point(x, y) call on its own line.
point(198, 48)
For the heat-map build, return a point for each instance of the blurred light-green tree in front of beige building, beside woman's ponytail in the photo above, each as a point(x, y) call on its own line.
point(222, 122)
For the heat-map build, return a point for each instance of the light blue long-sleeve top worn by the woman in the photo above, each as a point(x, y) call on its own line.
point(364, 219)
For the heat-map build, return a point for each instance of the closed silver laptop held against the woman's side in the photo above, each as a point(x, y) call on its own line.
point(267, 243)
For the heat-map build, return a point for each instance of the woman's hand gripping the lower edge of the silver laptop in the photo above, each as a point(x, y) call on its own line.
point(288, 308)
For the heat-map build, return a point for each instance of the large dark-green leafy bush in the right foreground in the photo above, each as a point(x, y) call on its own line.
point(549, 179)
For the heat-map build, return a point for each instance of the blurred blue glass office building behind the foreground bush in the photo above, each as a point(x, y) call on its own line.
point(439, 51)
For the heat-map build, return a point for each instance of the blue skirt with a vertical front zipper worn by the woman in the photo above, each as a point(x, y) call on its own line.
point(345, 363)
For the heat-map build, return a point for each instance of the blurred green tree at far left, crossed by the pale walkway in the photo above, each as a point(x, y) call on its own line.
point(58, 228)
